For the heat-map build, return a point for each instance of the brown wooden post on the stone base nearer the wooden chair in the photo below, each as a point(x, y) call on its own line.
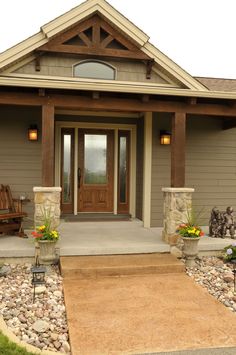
point(47, 145)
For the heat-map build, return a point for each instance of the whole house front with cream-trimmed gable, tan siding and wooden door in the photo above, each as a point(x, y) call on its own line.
point(100, 94)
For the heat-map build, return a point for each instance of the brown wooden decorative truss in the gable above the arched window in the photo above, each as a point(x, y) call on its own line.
point(96, 38)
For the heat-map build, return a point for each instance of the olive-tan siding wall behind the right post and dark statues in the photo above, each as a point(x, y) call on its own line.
point(210, 166)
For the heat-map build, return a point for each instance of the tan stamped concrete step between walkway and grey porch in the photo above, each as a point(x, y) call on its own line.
point(78, 267)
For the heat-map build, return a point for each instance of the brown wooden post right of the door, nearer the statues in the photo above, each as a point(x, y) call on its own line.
point(178, 150)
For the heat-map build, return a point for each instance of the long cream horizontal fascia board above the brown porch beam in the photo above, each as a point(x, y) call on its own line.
point(107, 85)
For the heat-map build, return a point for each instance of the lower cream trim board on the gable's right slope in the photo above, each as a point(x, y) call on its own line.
point(172, 67)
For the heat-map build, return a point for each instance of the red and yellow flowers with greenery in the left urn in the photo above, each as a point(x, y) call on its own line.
point(44, 231)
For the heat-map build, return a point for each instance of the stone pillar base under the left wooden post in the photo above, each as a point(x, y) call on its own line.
point(47, 199)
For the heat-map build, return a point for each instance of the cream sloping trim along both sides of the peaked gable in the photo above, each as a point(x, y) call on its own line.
point(83, 11)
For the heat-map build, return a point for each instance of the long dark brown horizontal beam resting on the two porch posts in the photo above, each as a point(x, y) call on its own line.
point(114, 104)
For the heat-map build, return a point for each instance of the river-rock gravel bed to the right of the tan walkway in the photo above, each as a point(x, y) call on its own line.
point(217, 277)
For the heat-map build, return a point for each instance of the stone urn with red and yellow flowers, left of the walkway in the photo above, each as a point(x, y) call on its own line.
point(46, 239)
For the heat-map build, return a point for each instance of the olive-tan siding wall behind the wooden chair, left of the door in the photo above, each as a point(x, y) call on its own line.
point(20, 160)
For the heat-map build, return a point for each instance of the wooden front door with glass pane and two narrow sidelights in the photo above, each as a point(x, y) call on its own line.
point(95, 166)
